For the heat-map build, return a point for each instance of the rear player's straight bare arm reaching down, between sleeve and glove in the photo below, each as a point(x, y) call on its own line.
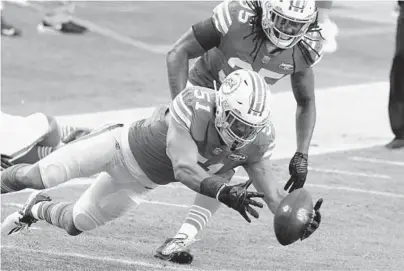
point(303, 90)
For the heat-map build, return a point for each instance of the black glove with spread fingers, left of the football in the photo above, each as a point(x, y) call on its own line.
point(238, 198)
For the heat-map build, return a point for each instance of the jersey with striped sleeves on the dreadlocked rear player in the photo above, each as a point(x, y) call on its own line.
point(232, 19)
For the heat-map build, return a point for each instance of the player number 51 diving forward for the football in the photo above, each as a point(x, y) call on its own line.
point(178, 143)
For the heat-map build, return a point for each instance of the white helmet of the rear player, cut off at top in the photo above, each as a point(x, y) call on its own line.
point(286, 21)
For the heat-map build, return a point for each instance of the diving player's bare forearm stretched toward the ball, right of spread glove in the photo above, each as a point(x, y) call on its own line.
point(263, 180)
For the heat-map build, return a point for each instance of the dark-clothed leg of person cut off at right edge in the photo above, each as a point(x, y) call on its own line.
point(396, 101)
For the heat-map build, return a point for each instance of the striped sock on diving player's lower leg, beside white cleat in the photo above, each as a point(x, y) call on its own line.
point(59, 214)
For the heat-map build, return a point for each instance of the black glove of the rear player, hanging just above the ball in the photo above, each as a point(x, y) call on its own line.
point(298, 172)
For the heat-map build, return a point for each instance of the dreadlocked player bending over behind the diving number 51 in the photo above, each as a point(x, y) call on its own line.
point(275, 38)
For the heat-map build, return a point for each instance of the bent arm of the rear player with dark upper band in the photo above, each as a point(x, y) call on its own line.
point(200, 38)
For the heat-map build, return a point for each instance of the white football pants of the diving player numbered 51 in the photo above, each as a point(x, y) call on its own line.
point(115, 190)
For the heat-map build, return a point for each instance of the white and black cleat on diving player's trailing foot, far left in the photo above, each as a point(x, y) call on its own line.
point(23, 218)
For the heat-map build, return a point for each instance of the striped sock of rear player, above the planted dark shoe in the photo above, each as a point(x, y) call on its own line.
point(198, 216)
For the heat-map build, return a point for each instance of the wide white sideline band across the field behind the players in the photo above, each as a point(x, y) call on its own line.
point(340, 126)
